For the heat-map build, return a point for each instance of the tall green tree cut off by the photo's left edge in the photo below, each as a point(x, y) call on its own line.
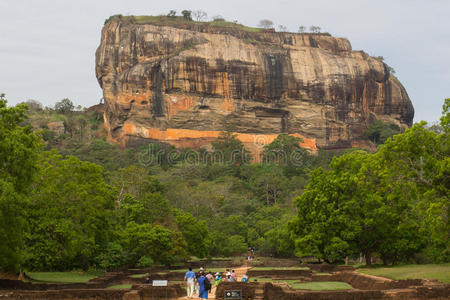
point(19, 148)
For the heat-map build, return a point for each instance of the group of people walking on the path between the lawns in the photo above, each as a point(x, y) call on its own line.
point(201, 281)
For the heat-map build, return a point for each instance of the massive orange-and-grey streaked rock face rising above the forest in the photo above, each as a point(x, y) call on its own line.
point(183, 85)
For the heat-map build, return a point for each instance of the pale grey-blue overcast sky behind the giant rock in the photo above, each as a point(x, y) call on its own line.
point(47, 47)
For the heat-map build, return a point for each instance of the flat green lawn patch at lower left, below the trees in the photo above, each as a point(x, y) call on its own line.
point(63, 277)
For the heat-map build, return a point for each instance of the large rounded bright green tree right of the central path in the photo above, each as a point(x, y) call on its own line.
point(352, 208)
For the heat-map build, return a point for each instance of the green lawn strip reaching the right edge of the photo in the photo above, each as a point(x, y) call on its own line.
point(440, 272)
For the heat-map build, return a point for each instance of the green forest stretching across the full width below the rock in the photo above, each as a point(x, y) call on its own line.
point(71, 200)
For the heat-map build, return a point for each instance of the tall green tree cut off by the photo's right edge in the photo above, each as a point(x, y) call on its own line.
point(418, 172)
